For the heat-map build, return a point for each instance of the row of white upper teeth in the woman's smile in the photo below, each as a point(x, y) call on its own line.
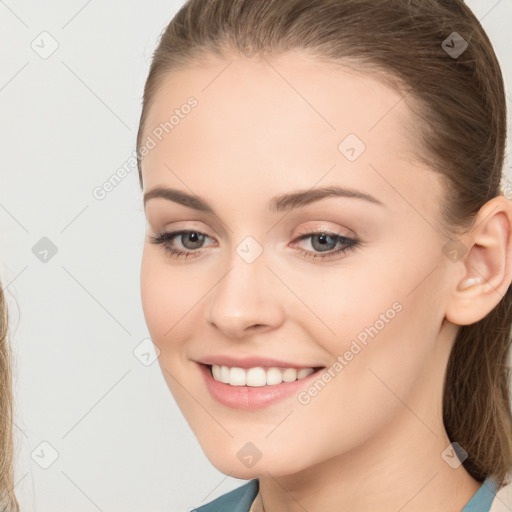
point(258, 376)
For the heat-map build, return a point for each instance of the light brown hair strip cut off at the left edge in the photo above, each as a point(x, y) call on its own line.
point(8, 502)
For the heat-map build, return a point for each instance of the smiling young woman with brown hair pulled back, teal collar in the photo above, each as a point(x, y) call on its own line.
point(327, 267)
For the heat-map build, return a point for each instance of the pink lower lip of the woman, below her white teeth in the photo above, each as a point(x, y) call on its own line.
point(249, 397)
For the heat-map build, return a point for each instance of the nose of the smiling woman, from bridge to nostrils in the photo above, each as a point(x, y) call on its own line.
point(246, 300)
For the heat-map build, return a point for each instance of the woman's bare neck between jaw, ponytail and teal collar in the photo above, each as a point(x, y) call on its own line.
point(399, 468)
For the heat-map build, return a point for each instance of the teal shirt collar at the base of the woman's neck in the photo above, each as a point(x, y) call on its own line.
point(241, 498)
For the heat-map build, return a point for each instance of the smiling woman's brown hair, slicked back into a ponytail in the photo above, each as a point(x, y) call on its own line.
point(461, 134)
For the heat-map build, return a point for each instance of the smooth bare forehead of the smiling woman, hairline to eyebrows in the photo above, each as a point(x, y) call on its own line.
point(273, 119)
